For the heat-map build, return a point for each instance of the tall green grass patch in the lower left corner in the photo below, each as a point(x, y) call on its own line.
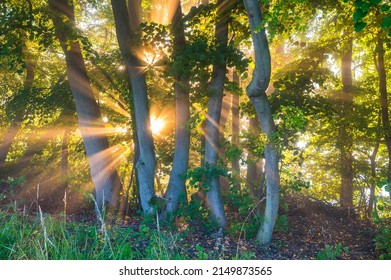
point(41, 237)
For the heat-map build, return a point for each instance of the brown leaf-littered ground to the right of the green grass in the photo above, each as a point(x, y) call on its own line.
point(312, 227)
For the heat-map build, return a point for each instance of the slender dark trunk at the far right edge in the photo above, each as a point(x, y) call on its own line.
point(380, 66)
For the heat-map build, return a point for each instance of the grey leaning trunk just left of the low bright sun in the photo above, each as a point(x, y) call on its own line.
point(124, 20)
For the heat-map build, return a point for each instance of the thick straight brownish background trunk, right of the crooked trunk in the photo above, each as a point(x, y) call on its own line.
point(345, 135)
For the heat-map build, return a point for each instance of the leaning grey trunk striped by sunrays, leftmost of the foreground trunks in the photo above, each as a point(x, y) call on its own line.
point(103, 173)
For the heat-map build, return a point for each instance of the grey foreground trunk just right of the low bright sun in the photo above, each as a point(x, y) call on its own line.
point(176, 185)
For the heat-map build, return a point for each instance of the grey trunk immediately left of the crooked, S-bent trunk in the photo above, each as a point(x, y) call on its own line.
point(212, 135)
